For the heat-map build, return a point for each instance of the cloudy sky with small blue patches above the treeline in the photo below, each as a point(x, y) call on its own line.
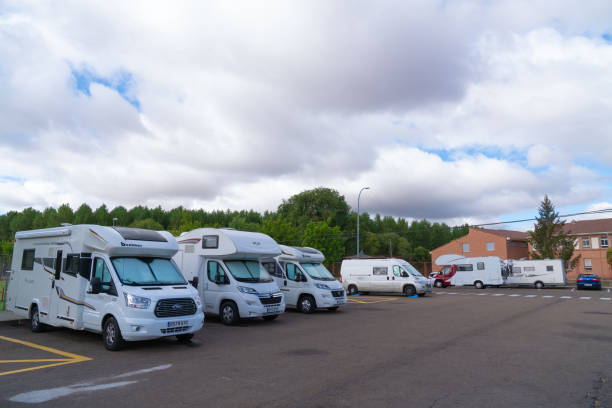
point(456, 111)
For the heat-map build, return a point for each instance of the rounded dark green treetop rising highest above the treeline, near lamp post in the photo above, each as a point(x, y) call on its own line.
point(319, 204)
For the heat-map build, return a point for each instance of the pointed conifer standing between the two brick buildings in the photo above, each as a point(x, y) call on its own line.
point(548, 238)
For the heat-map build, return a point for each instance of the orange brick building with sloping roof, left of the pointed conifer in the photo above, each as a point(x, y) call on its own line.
point(505, 244)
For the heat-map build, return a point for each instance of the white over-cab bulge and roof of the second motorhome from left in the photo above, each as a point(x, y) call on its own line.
point(231, 243)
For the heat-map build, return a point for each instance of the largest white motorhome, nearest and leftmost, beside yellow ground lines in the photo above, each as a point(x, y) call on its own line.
point(117, 281)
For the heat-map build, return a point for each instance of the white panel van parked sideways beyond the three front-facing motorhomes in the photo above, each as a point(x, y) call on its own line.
point(382, 275)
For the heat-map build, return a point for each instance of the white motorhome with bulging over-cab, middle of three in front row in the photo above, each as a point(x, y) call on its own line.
point(224, 265)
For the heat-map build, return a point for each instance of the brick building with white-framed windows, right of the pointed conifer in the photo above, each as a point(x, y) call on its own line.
point(591, 241)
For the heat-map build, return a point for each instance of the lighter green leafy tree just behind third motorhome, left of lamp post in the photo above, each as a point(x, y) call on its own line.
point(327, 239)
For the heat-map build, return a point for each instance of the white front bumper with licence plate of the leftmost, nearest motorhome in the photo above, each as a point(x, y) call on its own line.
point(134, 329)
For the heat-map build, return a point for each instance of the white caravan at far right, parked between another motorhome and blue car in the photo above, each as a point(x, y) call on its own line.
point(535, 272)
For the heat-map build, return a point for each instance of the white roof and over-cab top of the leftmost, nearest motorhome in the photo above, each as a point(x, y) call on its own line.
point(114, 241)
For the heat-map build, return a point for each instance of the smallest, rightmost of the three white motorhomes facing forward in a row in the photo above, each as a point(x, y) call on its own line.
point(305, 281)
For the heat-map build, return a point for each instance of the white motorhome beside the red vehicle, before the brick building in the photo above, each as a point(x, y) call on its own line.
point(479, 271)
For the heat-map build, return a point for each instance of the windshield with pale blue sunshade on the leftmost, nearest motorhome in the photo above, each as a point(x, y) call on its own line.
point(147, 271)
